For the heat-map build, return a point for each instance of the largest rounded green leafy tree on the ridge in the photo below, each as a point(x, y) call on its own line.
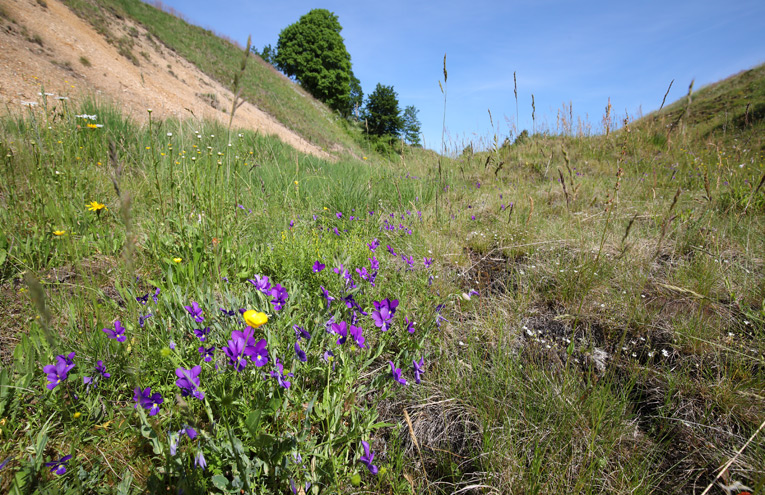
point(313, 52)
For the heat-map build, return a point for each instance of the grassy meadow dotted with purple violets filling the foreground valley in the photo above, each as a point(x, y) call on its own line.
point(575, 315)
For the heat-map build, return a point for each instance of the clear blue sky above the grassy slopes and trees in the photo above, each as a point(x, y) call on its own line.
point(577, 52)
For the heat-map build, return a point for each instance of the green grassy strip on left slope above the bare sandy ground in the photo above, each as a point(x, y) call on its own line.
point(261, 84)
